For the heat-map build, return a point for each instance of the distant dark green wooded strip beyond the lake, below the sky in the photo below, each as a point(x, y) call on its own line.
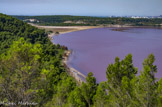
point(63, 20)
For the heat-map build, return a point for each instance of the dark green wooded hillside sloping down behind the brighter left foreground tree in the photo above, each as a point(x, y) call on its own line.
point(12, 29)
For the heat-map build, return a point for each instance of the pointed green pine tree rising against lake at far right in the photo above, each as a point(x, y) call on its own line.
point(146, 85)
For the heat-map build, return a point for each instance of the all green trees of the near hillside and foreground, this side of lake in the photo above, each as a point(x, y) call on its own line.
point(31, 73)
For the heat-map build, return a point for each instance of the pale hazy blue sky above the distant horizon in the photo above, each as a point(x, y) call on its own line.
point(82, 7)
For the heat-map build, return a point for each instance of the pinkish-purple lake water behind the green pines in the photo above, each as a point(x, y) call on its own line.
point(94, 49)
